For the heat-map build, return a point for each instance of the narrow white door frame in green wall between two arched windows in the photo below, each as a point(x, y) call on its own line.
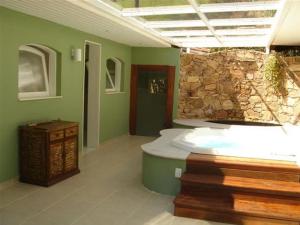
point(95, 108)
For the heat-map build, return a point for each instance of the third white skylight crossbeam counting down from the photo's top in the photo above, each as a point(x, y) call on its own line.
point(221, 32)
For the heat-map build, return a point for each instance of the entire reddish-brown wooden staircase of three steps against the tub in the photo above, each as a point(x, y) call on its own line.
point(240, 191)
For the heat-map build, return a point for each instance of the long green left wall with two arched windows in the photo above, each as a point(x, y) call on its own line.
point(17, 29)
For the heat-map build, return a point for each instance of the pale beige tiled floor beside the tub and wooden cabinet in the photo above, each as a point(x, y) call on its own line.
point(108, 191)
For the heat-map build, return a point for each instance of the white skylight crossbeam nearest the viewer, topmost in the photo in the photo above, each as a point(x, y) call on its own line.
point(205, 8)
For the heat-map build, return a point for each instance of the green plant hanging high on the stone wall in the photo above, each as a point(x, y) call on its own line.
point(273, 72)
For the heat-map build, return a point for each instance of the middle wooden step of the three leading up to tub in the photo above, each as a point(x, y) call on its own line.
point(251, 185)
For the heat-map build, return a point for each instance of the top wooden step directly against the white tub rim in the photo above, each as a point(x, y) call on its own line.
point(273, 166)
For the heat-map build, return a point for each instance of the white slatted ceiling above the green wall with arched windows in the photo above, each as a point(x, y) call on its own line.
point(80, 15)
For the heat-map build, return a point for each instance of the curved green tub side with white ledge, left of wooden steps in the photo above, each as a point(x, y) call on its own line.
point(159, 162)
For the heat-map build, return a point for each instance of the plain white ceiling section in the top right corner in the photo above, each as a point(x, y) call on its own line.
point(288, 31)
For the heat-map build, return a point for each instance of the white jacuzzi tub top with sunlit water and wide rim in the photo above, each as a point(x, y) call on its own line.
point(273, 143)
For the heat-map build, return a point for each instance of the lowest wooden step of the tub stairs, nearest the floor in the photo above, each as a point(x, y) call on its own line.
point(240, 205)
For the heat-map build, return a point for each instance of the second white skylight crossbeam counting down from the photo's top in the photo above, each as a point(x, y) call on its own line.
point(213, 22)
